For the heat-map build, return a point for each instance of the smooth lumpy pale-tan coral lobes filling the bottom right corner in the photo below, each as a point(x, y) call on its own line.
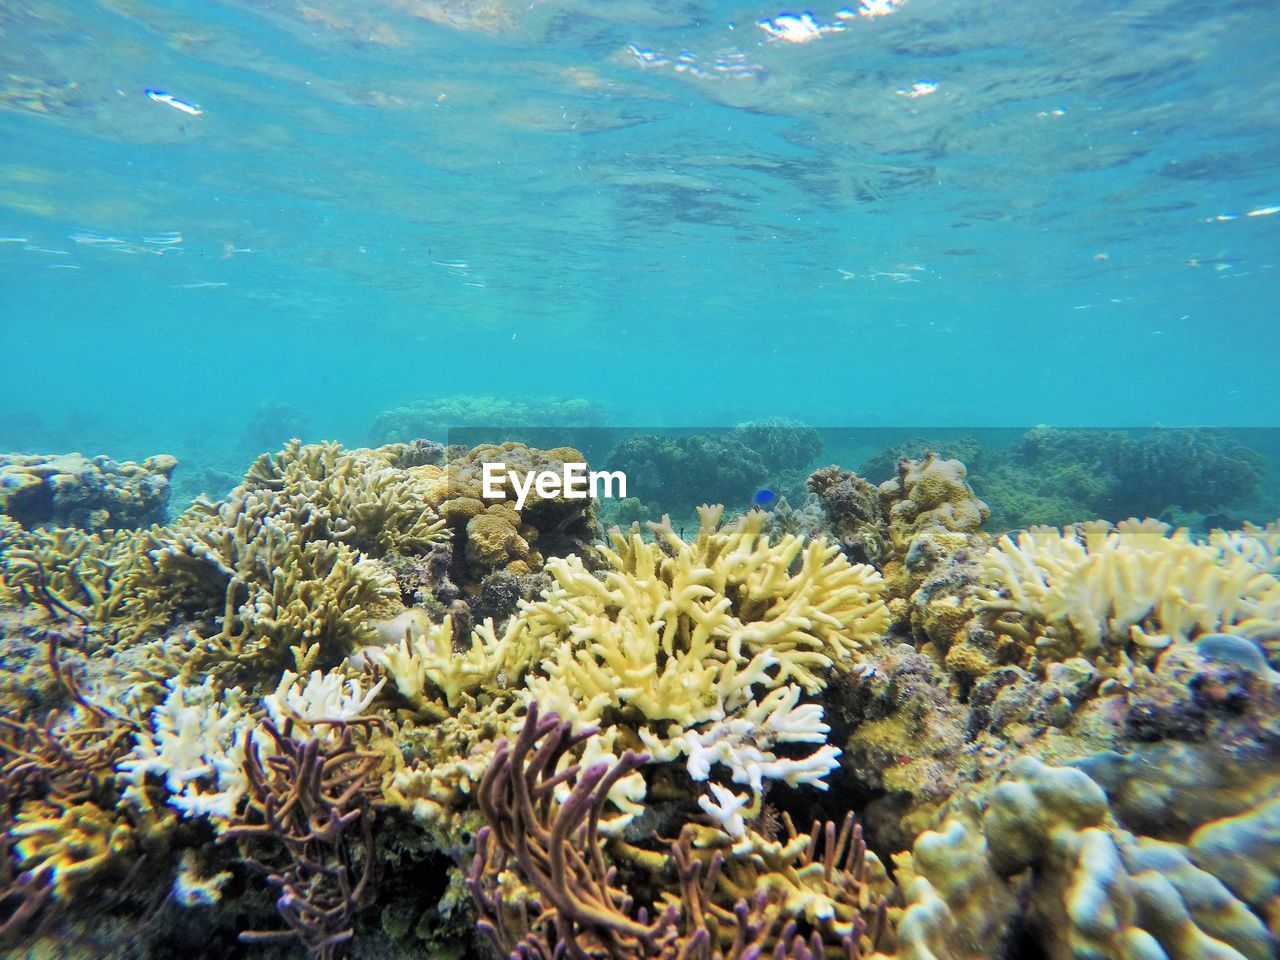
point(1121, 895)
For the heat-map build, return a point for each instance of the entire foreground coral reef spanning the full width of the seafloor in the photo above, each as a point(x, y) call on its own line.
point(356, 710)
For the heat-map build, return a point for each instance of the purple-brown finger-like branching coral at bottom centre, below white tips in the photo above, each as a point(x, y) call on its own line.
point(568, 900)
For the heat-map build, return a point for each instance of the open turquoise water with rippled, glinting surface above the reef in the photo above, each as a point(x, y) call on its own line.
point(953, 214)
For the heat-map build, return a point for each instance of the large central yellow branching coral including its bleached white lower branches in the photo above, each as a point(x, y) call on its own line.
point(683, 633)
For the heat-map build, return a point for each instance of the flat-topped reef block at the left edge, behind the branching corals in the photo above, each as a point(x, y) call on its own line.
point(72, 491)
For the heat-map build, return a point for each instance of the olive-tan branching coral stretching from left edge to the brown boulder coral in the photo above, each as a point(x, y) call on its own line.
point(289, 564)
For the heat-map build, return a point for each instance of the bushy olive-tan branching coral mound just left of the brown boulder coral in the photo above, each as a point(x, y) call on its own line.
point(289, 564)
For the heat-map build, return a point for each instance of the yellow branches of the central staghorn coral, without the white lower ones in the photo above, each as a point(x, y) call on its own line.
point(675, 630)
